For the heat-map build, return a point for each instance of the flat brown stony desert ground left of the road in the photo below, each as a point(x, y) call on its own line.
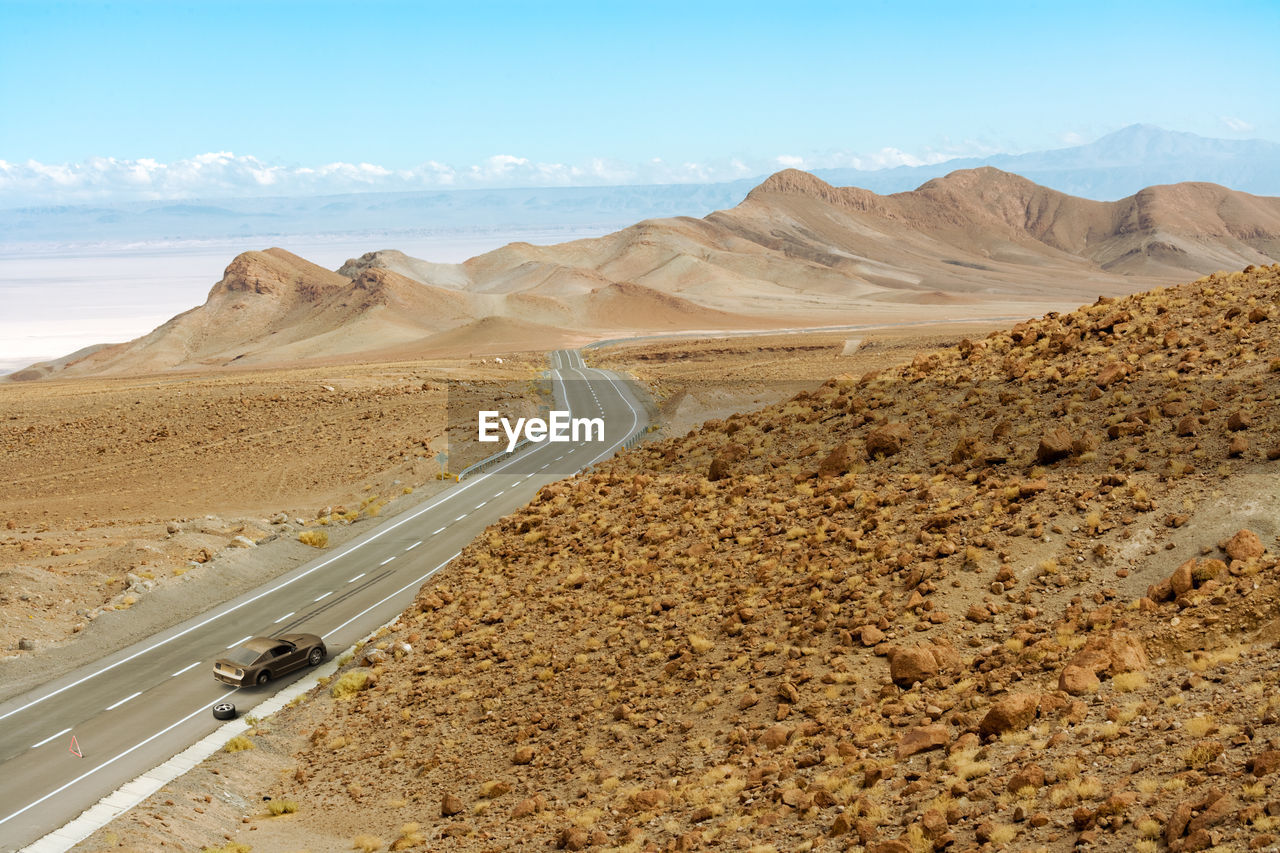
point(171, 489)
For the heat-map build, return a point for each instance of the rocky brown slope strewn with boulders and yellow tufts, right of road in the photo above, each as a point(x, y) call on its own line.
point(1017, 594)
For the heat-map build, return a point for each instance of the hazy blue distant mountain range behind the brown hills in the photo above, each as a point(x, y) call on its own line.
point(1114, 167)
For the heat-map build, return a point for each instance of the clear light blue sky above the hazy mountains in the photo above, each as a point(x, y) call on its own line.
point(472, 94)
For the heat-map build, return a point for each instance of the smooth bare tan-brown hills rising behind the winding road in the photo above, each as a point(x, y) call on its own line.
point(796, 253)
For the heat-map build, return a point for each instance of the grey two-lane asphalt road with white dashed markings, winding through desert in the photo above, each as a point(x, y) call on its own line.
point(135, 709)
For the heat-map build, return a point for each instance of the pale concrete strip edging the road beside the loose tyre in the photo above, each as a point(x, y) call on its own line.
point(132, 793)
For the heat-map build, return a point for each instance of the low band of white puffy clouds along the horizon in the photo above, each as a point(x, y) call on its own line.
point(226, 175)
